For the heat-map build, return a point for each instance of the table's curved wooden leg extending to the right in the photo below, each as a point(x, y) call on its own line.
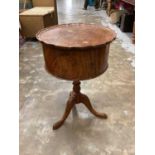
point(85, 100)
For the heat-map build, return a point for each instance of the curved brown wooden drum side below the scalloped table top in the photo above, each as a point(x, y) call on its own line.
point(76, 64)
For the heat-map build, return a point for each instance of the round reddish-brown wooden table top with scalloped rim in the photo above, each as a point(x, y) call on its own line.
point(76, 35)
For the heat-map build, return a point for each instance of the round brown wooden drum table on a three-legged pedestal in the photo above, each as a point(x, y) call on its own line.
point(76, 52)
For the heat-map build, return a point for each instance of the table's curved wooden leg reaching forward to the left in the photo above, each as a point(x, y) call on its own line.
point(69, 106)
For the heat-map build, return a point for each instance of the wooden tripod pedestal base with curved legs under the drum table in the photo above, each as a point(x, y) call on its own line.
point(75, 98)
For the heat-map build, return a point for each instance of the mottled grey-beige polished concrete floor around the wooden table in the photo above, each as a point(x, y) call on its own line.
point(43, 97)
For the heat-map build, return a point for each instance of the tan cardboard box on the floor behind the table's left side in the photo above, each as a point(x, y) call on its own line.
point(35, 19)
